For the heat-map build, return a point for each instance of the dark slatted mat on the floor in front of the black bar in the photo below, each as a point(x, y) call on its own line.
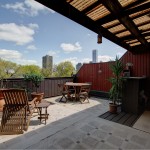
point(123, 118)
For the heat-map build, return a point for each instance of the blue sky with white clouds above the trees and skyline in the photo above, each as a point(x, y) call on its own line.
point(29, 31)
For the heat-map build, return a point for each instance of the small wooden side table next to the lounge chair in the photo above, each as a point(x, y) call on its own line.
point(43, 105)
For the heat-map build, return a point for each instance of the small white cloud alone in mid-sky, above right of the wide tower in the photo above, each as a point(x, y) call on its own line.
point(67, 47)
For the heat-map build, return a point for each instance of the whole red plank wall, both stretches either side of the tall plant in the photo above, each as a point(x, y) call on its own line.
point(99, 73)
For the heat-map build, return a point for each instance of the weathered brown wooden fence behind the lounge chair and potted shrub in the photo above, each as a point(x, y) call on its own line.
point(49, 85)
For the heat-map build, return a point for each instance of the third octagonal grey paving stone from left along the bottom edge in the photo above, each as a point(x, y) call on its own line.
point(115, 141)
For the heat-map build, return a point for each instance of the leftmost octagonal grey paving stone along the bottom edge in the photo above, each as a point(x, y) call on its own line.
point(65, 143)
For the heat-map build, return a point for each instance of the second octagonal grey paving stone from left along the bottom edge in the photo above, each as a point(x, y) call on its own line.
point(90, 141)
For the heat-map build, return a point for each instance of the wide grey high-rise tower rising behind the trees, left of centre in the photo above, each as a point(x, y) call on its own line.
point(47, 62)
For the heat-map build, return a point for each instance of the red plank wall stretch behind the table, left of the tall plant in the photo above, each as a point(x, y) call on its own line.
point(97, 74)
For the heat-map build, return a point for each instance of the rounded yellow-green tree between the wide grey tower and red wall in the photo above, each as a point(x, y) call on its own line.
point(64, 69)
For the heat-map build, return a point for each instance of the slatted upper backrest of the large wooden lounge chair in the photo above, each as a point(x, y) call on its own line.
point(15, 96)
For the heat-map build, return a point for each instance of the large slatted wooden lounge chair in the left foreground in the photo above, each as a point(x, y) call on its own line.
point(17, 111)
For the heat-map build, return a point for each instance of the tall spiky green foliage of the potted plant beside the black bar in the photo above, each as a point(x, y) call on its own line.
point(117, 80)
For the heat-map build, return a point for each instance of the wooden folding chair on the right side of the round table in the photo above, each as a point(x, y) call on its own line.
point(84, 93)
